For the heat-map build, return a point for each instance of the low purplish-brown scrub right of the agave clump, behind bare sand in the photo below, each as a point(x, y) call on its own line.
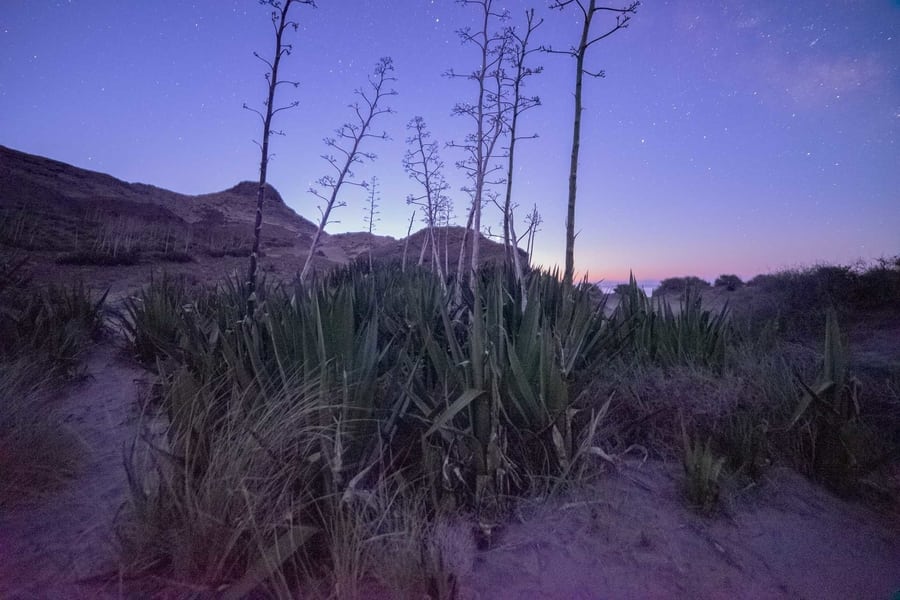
point(741, 404)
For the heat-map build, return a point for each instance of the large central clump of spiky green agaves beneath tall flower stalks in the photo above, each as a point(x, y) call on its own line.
point(376, 372)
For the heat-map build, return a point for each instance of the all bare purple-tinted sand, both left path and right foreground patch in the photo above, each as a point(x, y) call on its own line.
point(626, 535)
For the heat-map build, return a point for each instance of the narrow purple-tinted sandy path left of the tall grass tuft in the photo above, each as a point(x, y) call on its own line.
point(46, 547)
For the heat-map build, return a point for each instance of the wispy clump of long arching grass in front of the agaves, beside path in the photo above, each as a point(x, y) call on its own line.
point(240, 500)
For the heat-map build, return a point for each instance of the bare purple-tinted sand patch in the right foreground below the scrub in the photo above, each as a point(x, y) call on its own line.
point(629, 535)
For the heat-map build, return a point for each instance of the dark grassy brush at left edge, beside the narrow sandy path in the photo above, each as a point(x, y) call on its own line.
point(44, 334)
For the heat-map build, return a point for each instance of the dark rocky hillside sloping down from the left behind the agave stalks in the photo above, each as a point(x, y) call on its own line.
point(77, 222)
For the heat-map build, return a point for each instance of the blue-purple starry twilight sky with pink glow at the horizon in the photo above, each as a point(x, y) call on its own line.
point(727, 136)
